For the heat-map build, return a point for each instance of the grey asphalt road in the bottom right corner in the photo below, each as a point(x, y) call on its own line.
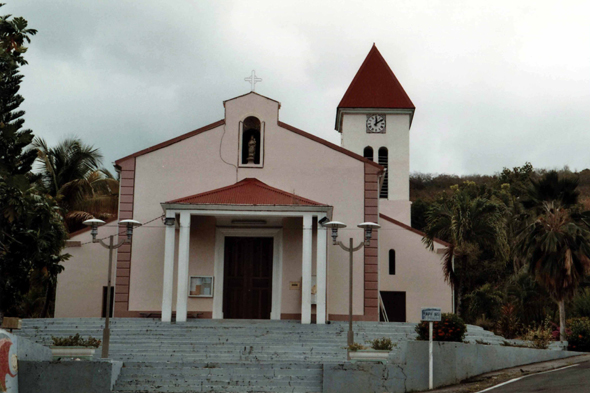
point(572, 380)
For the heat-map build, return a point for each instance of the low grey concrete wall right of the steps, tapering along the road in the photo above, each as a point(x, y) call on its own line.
point(407, 369)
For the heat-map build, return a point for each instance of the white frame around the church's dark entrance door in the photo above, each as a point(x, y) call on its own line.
point(277, 265)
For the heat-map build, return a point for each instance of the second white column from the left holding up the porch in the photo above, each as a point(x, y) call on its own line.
point(183, 250)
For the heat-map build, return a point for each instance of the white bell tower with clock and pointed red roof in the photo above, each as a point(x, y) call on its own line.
point(374, 118)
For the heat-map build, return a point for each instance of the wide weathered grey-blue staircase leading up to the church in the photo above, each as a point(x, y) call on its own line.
point(224, 356)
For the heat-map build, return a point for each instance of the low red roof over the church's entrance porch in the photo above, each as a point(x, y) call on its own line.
point(249, 191)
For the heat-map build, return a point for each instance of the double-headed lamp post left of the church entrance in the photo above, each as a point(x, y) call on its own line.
point(94, 224)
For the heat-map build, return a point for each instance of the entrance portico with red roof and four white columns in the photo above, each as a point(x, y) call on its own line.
point(237, 215)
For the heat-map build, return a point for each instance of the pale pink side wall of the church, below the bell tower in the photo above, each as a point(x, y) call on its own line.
point(418, 270)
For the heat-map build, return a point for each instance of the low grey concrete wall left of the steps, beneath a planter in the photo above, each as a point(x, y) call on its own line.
point(68, 376)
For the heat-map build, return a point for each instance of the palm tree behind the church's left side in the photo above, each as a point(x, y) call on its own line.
point(71, 173)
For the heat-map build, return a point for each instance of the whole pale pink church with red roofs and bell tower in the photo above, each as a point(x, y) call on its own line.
point(233, 216)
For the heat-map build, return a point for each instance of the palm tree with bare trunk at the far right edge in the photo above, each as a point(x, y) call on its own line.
point(557, 247)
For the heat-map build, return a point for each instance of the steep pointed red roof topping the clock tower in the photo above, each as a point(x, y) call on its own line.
point(375, 86)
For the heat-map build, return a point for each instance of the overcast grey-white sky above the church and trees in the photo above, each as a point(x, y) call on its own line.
point(495, 84)
